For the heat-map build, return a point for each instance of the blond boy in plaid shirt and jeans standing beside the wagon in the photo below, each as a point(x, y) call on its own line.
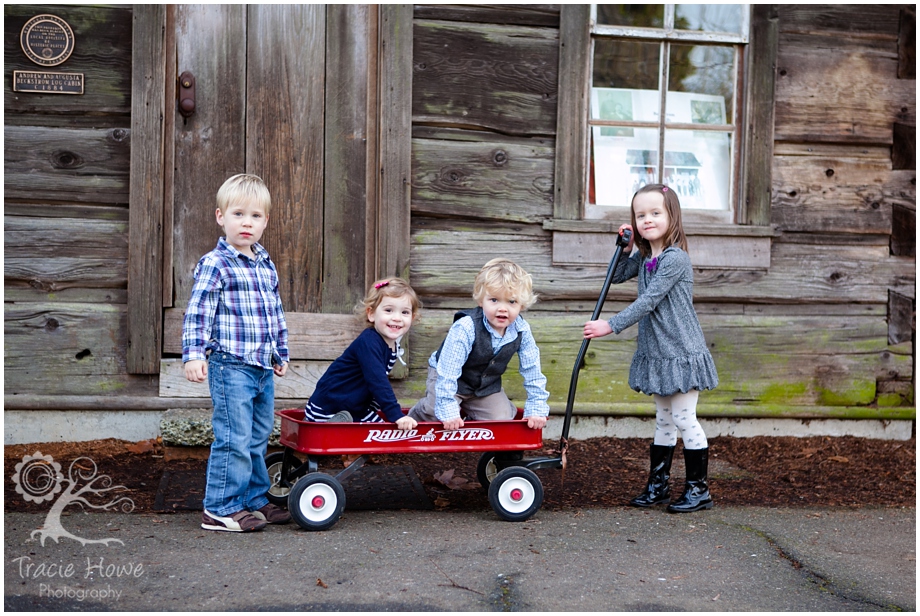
point(235, 336)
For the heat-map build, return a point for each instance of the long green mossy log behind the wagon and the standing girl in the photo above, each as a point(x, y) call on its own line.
point(834, 361)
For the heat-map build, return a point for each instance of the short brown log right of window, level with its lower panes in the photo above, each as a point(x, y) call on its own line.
point(833, 195)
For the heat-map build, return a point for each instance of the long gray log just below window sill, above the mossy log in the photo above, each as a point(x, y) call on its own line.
point(445, 261)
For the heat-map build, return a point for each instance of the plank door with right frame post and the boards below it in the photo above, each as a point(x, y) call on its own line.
point(289, 93)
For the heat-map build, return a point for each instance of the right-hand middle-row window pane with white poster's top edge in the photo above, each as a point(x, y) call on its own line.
point(706, 72)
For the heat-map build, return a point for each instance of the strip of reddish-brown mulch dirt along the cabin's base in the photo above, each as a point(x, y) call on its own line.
point(600, 472)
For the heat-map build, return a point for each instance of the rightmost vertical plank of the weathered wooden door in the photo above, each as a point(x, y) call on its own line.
point(349, 47)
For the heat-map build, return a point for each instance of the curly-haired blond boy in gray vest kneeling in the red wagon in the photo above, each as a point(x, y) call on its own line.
point(466, 372)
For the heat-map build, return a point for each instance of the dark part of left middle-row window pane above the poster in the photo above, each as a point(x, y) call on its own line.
point(626, 64)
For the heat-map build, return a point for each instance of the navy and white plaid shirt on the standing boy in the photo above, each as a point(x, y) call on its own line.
point(235, 308)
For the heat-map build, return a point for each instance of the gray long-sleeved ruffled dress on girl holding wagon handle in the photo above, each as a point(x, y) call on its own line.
point(672, 355)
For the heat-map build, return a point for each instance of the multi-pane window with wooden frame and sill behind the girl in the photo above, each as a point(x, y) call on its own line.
point(679, 94)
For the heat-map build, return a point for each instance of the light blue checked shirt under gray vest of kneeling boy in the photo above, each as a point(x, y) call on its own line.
point(456, 349)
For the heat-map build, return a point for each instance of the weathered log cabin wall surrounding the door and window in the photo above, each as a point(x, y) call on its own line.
point(825, 330)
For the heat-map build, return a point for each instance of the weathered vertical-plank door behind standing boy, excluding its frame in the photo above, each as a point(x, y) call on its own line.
point(261, 92)
